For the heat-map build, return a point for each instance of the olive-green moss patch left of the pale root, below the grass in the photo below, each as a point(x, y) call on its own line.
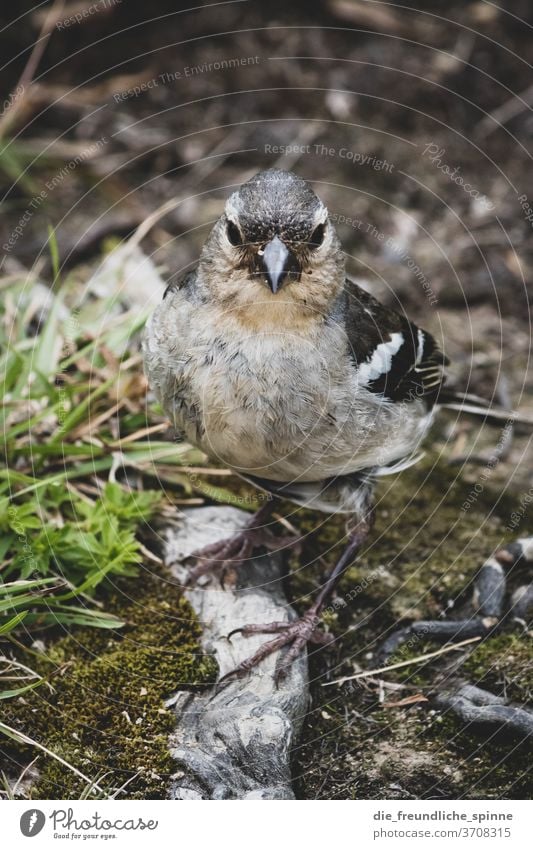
point(106, 714)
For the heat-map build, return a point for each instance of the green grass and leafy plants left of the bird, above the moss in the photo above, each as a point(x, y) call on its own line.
point(74, 419)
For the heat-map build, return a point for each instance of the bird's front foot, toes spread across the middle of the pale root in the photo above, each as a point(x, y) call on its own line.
point(296, 634)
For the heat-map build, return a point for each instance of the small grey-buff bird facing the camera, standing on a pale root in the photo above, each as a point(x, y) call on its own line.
point(273, 362)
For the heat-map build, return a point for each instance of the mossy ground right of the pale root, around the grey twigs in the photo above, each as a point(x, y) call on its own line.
point(424, 552)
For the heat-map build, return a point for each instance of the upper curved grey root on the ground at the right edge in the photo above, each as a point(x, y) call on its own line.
point(488, 601)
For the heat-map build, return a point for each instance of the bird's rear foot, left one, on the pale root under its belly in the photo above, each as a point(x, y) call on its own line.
point(229, 553)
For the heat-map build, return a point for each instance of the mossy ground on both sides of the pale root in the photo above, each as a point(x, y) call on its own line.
point(106, 713)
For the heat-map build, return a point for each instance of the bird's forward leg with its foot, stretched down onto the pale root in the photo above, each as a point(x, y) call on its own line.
point(305, 629)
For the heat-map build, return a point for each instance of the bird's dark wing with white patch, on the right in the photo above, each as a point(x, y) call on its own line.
point(394, 358)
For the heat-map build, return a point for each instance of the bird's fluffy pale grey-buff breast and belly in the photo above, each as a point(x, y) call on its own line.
point(274, 404)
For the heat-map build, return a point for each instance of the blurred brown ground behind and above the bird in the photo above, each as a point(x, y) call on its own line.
point(414, 125)
